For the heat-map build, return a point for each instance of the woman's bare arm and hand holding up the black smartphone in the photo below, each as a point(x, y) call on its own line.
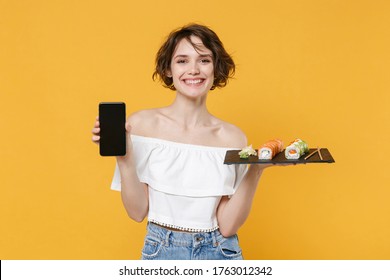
point(133, 192)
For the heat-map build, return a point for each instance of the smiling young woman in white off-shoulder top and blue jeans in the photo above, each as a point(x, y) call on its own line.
point(173, 171)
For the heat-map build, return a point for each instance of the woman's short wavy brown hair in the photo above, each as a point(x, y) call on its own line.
point(224, 66)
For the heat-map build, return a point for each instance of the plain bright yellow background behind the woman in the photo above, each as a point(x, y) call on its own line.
point(318, 70)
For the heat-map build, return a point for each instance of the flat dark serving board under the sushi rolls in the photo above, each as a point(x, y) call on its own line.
point(232, 157)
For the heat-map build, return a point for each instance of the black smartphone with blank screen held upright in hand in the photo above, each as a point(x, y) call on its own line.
point(112, 118)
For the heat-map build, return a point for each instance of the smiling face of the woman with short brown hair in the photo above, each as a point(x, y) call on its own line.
point(192, 70)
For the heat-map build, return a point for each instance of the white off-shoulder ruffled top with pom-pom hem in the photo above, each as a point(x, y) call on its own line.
point(186, 181)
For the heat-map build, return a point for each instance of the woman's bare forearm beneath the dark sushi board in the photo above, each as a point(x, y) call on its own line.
point(233, 212)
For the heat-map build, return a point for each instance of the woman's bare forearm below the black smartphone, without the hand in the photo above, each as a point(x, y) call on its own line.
point(134, 193)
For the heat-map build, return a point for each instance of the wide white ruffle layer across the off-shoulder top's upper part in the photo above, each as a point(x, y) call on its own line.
point(183, 169)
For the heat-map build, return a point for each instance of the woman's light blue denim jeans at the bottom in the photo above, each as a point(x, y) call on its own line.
point(164, 244)
